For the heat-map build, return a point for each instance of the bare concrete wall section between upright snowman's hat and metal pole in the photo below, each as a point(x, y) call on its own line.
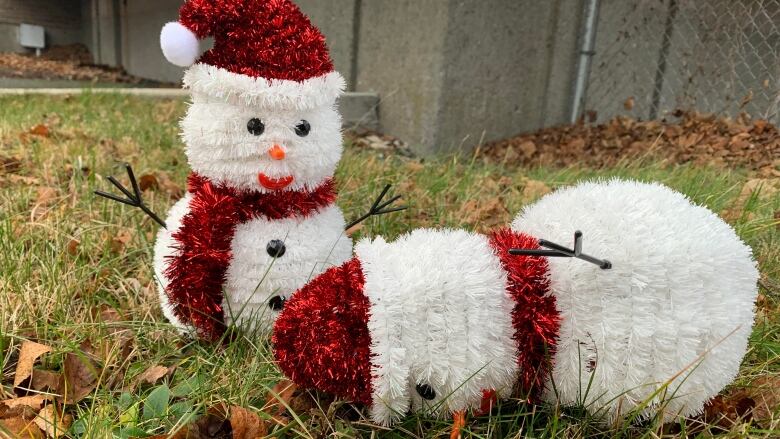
point(452, 74)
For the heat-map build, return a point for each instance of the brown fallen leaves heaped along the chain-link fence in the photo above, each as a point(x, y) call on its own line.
point(689, 138)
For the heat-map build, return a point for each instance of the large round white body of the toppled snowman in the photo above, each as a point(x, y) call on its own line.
point(666, 328)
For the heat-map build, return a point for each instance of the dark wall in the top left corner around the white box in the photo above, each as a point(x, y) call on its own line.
point(62, 20)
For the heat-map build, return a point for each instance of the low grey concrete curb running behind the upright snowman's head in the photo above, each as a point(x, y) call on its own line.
point(360, 111)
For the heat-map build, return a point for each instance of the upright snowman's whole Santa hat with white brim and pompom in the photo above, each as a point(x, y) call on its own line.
point(266, 52)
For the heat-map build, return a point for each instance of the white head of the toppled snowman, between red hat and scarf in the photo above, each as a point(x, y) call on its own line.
point(440, 316)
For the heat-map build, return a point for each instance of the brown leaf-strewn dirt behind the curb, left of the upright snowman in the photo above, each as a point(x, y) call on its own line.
point(72, 62)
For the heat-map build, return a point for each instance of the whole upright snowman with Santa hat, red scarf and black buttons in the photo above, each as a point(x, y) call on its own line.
point(263, 138)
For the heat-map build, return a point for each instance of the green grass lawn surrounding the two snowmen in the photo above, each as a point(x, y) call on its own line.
point(50, 294)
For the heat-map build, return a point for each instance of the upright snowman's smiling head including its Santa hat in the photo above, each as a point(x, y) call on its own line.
point(263, 114)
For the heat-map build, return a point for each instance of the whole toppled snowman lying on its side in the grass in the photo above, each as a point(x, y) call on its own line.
point(438, 319)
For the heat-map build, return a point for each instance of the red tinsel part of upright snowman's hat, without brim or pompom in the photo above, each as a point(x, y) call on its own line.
point(269, 39)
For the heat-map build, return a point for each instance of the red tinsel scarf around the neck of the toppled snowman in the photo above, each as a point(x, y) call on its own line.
point(535, 317)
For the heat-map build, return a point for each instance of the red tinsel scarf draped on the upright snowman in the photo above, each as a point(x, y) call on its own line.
point(197, 272)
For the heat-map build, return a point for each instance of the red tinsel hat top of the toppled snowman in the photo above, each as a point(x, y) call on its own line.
point(321, 340)
